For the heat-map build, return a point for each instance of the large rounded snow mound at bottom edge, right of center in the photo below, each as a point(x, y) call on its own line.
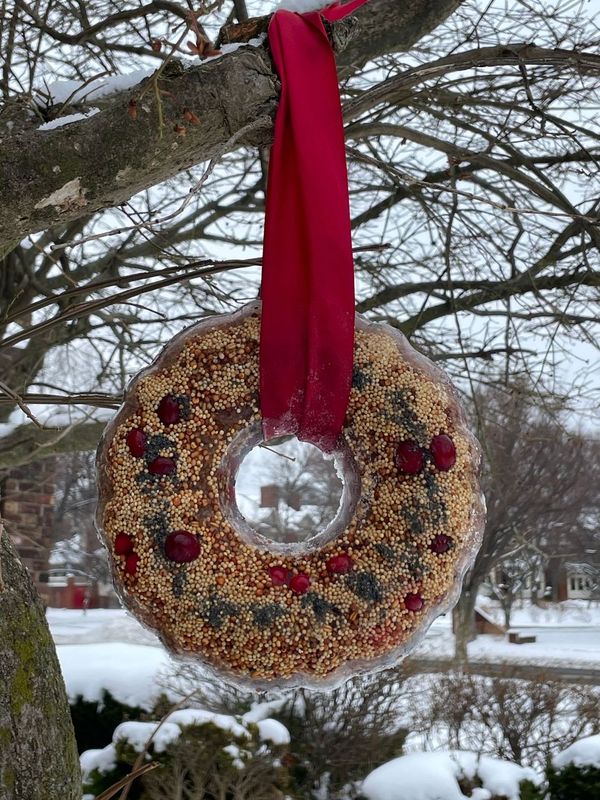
point(434, 776)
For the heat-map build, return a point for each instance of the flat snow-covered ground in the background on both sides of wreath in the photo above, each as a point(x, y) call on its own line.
point(110, 649)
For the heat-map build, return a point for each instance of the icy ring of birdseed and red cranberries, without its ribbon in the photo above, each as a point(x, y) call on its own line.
point(353, 598)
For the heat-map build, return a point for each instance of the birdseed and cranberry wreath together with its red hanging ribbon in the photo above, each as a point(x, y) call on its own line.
point(358, 595)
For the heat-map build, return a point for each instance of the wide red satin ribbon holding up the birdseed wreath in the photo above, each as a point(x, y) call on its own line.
point(307, 320)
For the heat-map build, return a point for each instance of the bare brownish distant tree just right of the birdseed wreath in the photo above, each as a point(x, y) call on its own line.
point(538, 477)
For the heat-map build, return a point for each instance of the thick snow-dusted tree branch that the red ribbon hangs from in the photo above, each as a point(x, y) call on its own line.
point(50, 177)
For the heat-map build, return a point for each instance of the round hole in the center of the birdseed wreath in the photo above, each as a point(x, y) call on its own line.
point(288, 490)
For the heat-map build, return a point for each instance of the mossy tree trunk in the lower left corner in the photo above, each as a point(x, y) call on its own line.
point(38, 754)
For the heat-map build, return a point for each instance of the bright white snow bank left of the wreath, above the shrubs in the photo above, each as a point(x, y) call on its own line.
point(130, 672)
